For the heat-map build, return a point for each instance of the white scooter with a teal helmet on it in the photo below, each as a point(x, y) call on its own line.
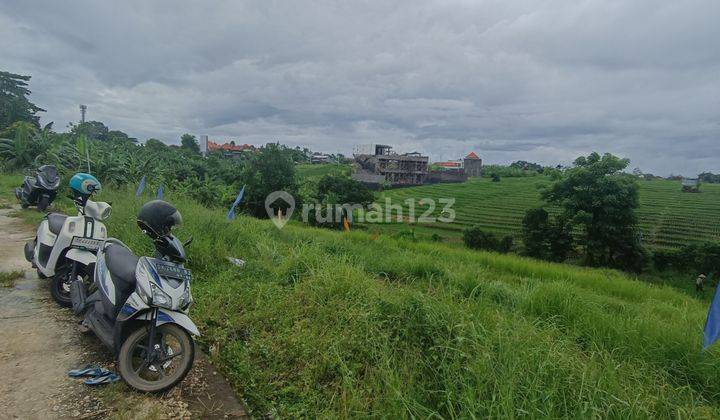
point(64, 247)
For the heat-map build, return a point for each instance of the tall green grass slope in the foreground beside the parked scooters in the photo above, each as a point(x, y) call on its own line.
point(322, 323)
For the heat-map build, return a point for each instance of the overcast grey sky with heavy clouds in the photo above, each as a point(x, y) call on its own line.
point(537, 80)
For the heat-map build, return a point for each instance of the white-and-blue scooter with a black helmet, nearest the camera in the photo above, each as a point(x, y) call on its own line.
point(140, 306)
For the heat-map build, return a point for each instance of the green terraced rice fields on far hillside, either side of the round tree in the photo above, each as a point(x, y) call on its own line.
point(668, 217)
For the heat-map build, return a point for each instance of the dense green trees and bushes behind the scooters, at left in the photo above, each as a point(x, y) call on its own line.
point(121, 161)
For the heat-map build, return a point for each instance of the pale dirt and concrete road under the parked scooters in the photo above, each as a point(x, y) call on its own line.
point(40, 342)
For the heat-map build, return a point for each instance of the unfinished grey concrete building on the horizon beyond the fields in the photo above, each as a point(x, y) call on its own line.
point(377, 165)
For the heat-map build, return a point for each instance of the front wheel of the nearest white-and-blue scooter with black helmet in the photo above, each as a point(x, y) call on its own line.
point(174, 353)
